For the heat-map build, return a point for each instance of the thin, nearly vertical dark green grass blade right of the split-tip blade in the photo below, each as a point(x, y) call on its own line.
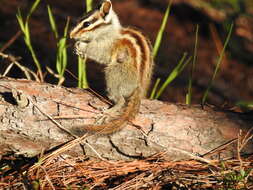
point(189, 94)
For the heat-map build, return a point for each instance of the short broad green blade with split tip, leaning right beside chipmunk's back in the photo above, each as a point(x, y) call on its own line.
point(176, 71)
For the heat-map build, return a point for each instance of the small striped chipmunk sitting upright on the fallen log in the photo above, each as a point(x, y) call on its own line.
point(128, 61)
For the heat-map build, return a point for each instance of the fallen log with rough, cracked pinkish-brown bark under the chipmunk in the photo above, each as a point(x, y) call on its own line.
point(26, 130)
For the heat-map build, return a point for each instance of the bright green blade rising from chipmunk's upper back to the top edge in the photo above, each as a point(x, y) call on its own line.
point(161, 30)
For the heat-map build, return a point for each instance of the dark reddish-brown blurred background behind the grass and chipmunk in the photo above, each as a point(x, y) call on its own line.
point(233, 83)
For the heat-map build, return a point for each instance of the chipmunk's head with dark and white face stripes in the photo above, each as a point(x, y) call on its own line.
point(96, 23)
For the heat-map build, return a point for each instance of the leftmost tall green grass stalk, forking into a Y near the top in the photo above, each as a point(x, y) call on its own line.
point(24, 26)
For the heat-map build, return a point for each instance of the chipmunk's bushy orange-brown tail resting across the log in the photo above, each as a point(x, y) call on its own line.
point(128, 113)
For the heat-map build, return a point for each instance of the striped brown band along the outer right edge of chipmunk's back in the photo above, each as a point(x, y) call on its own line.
point(145, 55)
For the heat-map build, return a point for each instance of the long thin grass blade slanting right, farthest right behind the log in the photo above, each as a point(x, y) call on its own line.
point(217, 65)
